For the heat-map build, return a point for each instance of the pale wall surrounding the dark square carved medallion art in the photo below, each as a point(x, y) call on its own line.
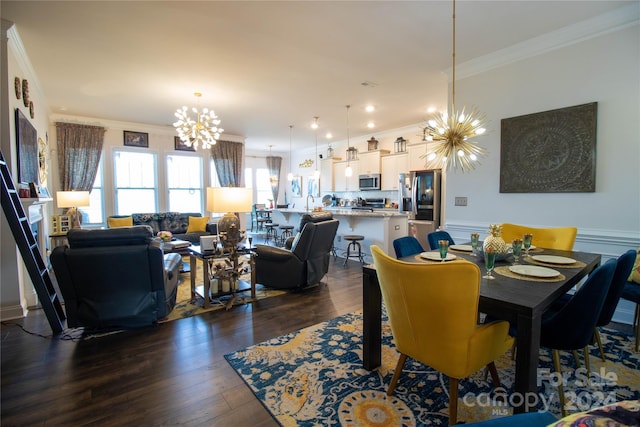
point(605, 69)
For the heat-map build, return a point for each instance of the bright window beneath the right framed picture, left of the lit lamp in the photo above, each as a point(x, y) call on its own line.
point(184, 183)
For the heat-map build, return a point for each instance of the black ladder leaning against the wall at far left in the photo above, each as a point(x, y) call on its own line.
point(30, 251)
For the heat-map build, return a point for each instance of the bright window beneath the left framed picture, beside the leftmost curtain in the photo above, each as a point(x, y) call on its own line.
point(135, 182)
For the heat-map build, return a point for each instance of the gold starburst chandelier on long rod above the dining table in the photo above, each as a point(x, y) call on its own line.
point(454, 148)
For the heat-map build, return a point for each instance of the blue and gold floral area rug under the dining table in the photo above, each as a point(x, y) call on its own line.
point(314, 377)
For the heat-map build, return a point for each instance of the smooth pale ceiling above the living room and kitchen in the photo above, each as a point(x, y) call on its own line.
point(265, 65)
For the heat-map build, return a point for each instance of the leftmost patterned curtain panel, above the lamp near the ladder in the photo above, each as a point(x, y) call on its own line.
point(79, 151)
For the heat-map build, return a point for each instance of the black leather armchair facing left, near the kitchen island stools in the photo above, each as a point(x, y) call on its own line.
point(306, 263)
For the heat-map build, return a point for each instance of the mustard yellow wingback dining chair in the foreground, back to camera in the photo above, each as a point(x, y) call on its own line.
point(432, 311)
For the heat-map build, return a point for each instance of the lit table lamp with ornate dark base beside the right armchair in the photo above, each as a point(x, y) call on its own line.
point(229, 200)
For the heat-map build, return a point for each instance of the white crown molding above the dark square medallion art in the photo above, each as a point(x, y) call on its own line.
point(606, 23)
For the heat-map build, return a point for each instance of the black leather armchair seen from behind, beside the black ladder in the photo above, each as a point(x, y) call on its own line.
point(115, 278)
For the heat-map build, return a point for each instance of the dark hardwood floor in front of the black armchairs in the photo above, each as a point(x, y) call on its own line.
point(171, 374)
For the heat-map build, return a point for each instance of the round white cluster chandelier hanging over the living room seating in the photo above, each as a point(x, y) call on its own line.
point(202, 131)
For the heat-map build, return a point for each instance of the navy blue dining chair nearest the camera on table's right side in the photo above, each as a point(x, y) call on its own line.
point(571, 326)
